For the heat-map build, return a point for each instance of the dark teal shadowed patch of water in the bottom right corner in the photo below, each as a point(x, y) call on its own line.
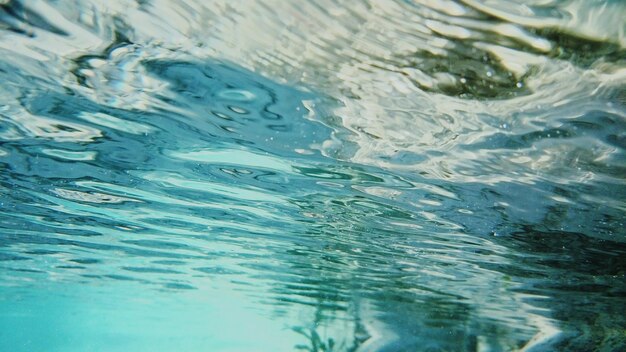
point(584, 278)
